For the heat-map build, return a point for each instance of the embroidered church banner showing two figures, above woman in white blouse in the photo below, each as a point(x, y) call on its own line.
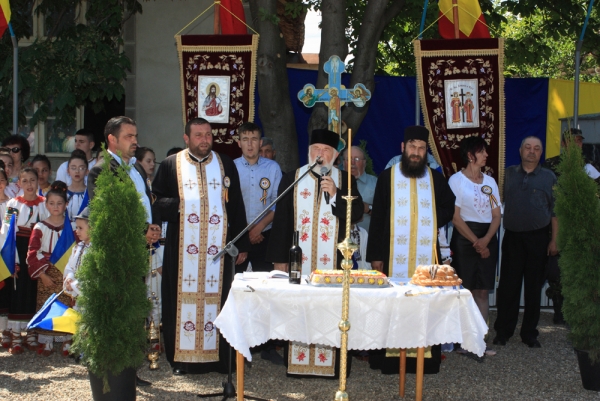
point(461, 88)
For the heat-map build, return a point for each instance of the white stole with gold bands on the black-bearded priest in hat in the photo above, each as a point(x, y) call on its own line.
point(413, 231)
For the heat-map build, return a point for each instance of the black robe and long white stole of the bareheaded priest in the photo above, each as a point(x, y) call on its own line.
point(202, 202)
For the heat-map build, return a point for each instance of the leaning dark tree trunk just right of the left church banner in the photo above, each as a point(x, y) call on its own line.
point(275, 109)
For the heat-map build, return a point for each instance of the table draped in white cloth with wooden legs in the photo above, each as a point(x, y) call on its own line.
point(400, 316)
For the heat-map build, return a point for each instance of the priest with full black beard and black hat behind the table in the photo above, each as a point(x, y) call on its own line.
point(411, 202)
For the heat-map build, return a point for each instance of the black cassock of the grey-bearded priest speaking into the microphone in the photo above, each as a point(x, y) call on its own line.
point(281, 238)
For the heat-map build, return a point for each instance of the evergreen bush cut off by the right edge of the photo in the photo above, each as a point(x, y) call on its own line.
point(578, 211)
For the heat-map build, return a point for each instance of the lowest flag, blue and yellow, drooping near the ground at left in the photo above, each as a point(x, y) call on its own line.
point(55, 316)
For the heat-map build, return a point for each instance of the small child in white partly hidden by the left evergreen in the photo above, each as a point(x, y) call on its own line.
point(82, 229)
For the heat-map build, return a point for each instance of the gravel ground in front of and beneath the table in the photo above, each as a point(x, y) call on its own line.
point(515, 373)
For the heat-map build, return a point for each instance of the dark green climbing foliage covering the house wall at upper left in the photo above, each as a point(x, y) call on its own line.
point(75, 65)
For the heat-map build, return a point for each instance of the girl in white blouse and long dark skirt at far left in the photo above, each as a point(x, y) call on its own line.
point(29, 209)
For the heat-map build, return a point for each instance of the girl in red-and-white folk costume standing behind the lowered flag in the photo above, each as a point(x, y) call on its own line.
point(43, 240)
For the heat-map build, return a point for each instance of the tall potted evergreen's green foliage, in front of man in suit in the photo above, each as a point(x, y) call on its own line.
point(113, 299)
